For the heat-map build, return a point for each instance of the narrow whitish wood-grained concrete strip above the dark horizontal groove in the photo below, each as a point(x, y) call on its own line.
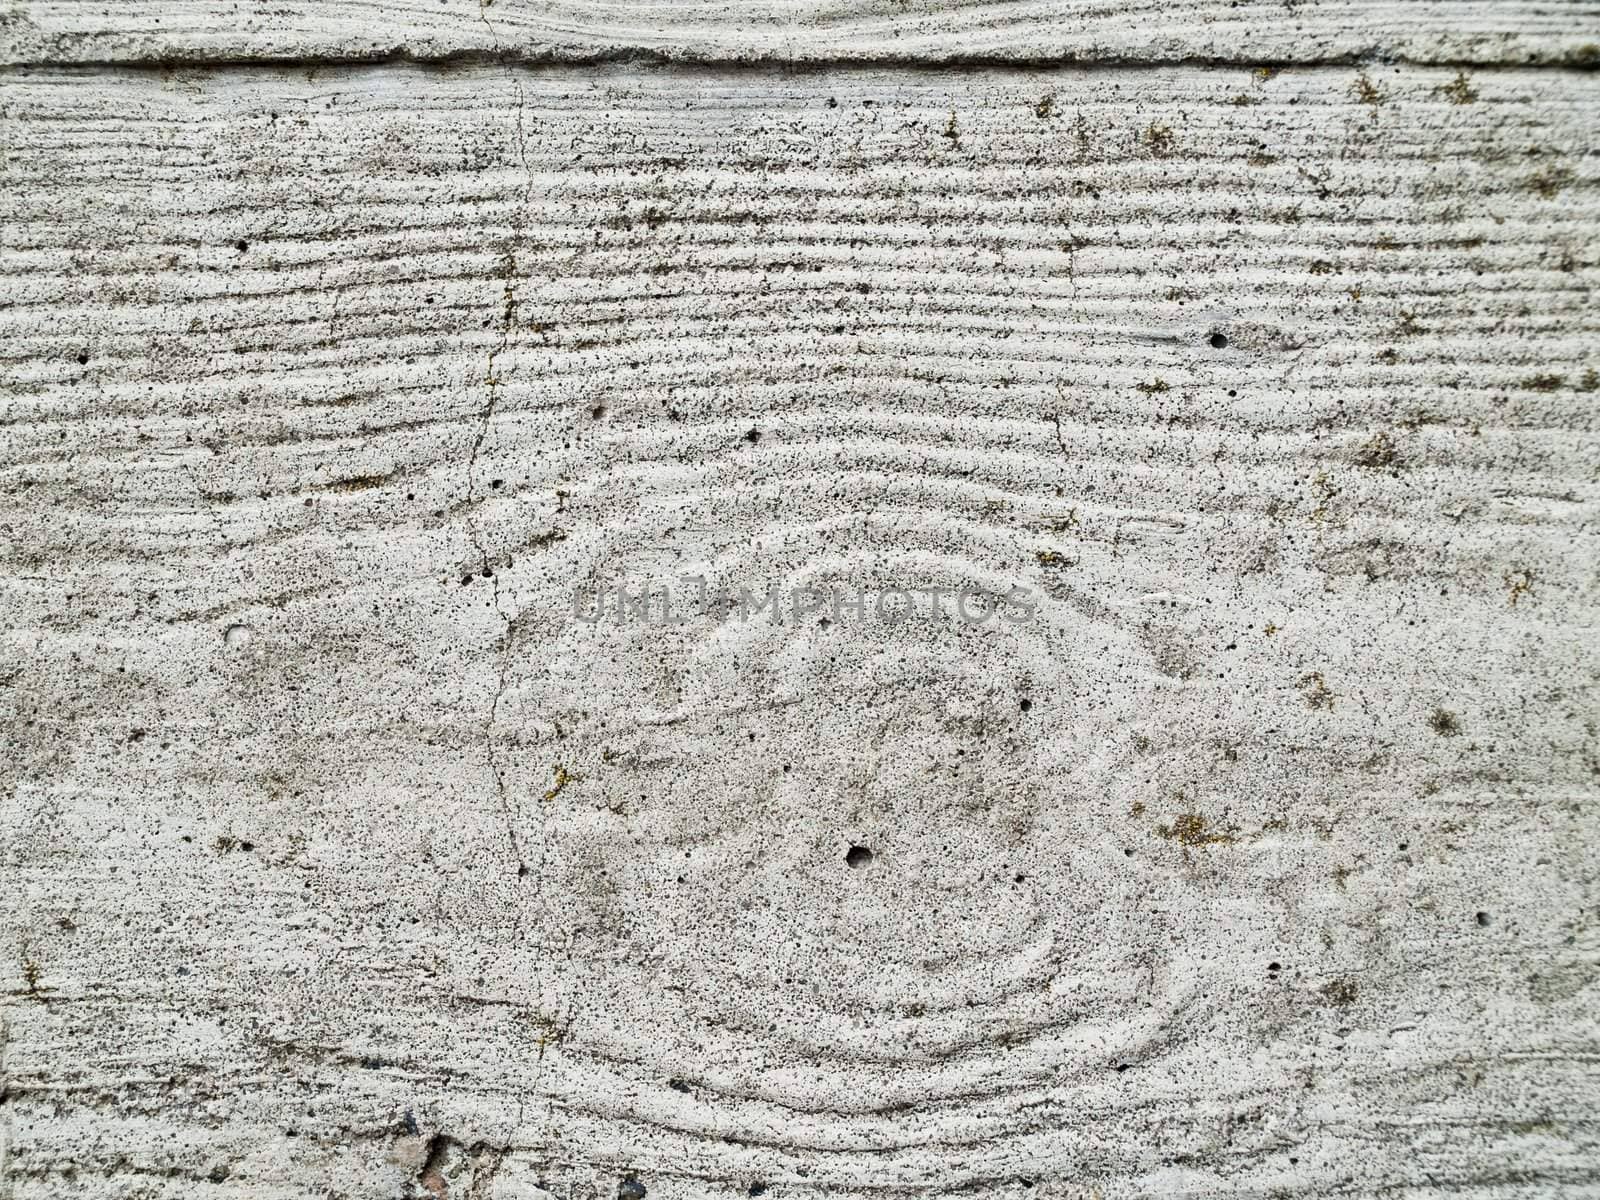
point(1442, 33)
